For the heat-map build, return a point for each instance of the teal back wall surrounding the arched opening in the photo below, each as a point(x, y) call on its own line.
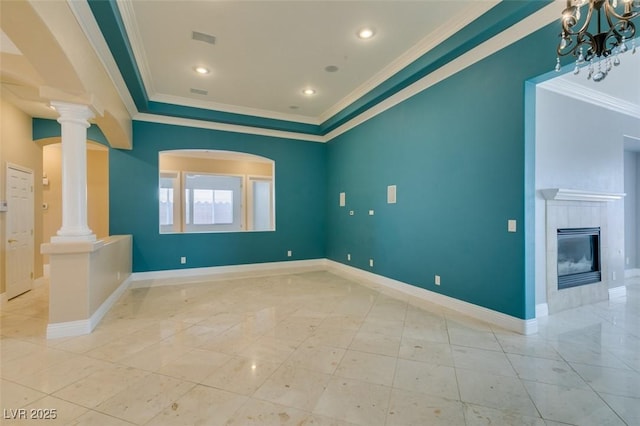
point(300, 179)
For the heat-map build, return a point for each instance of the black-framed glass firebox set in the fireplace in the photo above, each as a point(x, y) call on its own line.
point(578, 257)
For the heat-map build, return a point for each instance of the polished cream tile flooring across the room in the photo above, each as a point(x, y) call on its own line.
point(315, 348)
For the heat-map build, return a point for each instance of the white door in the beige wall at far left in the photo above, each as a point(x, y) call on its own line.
point(20, 240)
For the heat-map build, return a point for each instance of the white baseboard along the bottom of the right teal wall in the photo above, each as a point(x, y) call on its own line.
point(478, 312)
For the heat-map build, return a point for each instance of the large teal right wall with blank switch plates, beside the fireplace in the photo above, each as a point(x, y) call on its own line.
point(456, 152)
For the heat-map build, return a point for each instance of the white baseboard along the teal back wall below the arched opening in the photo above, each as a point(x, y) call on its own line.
point(183, 276)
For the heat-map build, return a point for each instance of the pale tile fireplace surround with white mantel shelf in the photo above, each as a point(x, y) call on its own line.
point(569, 208)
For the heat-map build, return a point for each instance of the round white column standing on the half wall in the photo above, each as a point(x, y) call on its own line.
point(74, 122)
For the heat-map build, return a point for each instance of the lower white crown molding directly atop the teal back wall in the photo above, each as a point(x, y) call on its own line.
point(212, 125)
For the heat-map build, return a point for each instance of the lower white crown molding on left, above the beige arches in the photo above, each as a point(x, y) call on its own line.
point(86, 20)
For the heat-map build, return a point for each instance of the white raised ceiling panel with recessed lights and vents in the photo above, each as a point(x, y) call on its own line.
point(267, 52)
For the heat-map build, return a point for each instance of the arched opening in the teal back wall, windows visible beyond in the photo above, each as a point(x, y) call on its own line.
point(215, 191)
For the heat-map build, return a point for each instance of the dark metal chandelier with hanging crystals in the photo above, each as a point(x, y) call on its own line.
point(600, 49)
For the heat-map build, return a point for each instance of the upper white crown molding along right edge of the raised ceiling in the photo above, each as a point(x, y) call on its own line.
point(446, 30)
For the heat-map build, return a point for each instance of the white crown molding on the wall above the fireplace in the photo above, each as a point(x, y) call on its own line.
point(586, 94)
